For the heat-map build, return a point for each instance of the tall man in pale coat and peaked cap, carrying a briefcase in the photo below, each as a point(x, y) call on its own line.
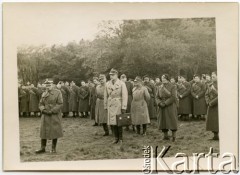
point(115, 102)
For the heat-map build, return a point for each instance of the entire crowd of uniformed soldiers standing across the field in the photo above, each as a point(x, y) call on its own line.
point(167, 99)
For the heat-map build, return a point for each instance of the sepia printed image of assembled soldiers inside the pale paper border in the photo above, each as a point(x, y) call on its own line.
point(102, 88)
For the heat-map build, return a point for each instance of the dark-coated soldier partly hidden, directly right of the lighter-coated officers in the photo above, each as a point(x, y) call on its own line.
point(152, 91)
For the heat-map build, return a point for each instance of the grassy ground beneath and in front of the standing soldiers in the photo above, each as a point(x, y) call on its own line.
point(82, 141)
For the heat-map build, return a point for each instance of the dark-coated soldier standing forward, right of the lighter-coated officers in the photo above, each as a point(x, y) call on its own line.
point(167, 113)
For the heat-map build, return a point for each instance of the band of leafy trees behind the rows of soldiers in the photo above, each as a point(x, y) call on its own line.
point(134, 47)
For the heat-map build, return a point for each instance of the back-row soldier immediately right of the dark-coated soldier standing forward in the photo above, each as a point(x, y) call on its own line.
point(184, 96)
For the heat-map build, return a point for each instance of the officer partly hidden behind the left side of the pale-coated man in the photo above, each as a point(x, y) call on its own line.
point(100, 112)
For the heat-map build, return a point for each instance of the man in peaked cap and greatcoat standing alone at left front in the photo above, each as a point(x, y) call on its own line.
point(51, 127)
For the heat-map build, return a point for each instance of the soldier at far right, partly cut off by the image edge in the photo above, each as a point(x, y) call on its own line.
point(211, 97)
